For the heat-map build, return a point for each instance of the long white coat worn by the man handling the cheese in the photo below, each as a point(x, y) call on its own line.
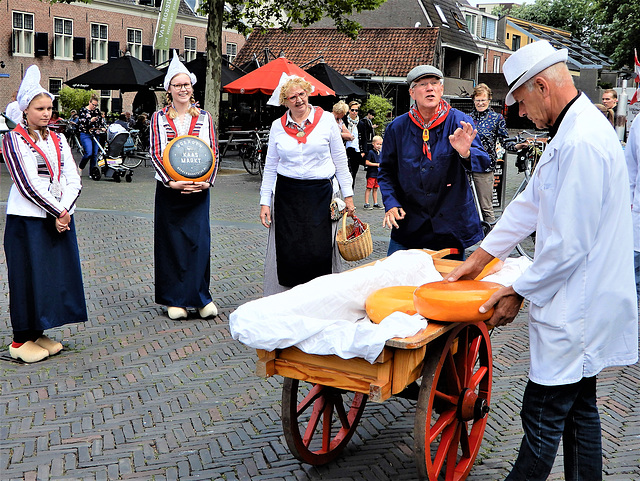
point(583, 312)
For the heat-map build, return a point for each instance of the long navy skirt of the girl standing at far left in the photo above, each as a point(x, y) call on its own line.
point(45, 277)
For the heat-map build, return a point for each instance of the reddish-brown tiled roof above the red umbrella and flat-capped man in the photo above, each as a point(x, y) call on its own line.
point(390, 52)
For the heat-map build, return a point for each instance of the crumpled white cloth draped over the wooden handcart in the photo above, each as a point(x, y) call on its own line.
point(326, 315)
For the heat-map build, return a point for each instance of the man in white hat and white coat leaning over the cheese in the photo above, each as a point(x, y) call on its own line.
point(583, 313)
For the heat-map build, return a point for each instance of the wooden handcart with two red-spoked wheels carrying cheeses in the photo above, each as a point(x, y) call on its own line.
point(323, 397)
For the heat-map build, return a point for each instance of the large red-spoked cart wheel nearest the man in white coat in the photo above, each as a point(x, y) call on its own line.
point(453, 403)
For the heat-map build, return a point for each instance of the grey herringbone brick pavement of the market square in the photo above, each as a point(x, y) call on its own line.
point(135, 395)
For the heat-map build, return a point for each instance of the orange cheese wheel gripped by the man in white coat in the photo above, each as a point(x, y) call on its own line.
point(454, 301)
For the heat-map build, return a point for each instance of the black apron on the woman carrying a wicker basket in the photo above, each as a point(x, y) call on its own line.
point(304, 243)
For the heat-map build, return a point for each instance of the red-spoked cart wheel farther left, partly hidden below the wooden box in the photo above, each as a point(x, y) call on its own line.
point(318, 421)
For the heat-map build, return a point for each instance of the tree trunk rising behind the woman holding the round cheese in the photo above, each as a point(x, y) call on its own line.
point(214, 58)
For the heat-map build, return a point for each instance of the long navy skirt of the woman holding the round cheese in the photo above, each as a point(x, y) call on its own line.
point(182, 236)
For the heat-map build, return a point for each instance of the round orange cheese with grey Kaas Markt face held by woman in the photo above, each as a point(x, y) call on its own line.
point(188, 158)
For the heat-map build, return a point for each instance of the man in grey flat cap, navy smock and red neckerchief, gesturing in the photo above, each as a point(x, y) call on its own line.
point(422, 174)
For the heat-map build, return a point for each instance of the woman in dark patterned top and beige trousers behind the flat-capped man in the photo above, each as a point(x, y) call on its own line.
point(491, 128)
